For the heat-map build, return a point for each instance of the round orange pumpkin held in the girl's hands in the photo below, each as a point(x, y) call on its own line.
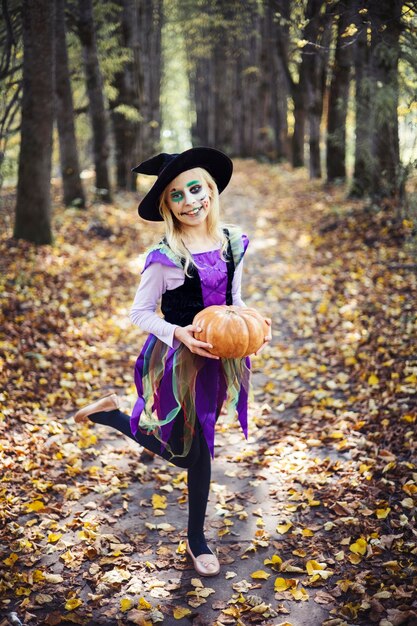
point(233, 331)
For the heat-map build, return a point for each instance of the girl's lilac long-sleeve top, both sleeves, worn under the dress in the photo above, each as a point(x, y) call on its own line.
point(155, 280)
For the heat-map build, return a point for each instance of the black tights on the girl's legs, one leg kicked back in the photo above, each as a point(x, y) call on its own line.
point(197, 462)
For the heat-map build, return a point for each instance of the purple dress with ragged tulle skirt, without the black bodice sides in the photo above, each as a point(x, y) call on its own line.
point(176, 387)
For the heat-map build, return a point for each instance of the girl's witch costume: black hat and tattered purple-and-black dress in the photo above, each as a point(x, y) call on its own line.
point(175, 386)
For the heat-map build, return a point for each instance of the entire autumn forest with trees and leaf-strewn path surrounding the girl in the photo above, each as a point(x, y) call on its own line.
point(316, 102)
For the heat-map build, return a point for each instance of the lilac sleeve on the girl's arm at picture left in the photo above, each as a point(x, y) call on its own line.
point(142, 313)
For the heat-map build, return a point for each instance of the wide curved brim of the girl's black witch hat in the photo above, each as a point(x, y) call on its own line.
point(218, 165)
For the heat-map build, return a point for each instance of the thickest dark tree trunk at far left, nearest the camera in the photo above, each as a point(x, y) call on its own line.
point(33, 205)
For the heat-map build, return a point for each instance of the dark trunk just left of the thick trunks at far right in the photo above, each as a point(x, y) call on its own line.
point(338, 98)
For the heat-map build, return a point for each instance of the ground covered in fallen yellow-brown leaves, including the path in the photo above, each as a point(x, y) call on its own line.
point(313, 517)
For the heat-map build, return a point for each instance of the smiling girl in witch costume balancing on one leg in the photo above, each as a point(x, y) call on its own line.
point(181, 385)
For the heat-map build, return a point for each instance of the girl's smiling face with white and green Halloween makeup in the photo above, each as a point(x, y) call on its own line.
point(188, 197)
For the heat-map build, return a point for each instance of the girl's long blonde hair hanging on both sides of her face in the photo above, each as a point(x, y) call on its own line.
point(173, 225)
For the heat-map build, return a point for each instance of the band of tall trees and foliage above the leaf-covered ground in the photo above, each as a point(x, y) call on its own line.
point(330, 84)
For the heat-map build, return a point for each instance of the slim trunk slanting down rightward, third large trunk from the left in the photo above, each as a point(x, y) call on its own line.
point(96, 99)
